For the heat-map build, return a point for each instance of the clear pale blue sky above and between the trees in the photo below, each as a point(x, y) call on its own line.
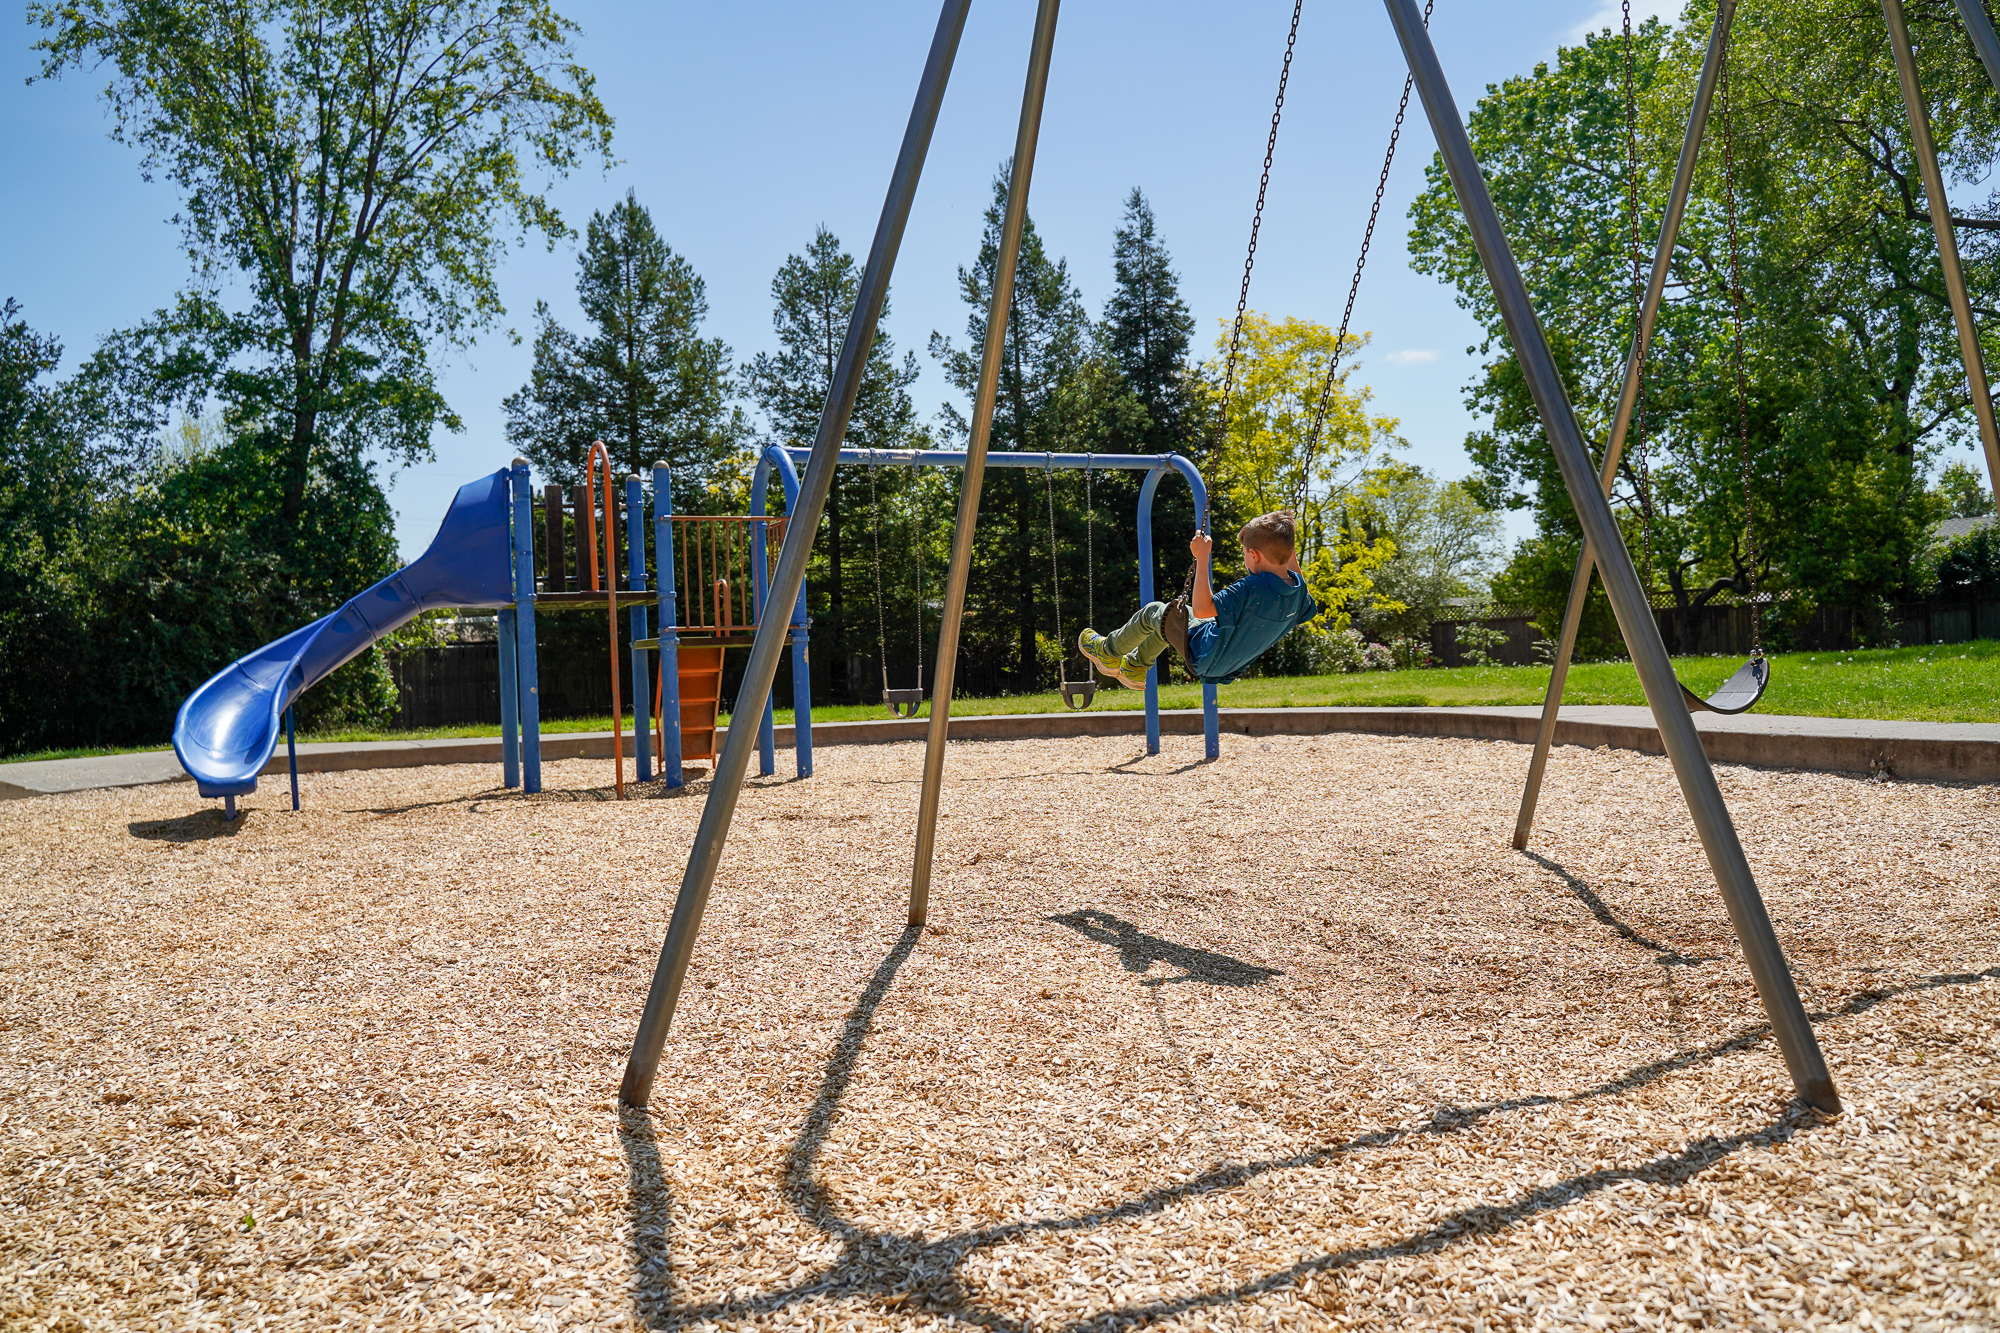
point(745, 127)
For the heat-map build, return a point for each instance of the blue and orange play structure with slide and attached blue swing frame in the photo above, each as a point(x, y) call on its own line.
point(713, 575)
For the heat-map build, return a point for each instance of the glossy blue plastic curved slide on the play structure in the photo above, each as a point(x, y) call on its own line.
point(229, 730)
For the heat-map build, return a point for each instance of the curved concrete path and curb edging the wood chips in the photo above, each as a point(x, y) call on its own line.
point(1917, 752)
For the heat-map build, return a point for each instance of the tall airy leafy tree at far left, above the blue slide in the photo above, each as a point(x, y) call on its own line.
point(359, 169)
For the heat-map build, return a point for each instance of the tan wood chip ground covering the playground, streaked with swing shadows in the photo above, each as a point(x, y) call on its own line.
point(1293, 1040)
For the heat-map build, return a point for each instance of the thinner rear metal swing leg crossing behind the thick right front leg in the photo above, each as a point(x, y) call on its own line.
point(1677, 205)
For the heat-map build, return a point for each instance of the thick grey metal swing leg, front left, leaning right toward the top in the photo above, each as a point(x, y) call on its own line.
point(735, 760)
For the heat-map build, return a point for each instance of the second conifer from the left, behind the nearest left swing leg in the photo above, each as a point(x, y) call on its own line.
point(815, 299)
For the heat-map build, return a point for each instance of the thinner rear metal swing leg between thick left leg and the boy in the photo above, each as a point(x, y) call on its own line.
point(983, 417)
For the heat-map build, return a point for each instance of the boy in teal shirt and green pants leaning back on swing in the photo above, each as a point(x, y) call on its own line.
point(1225, 631)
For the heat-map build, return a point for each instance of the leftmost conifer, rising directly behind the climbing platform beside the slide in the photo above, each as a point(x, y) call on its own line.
point(643, 379)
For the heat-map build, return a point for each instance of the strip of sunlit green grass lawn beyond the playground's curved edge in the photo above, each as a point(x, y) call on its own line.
point(1951, 684)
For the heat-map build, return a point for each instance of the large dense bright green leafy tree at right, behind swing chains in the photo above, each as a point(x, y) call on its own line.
point(1851, 363)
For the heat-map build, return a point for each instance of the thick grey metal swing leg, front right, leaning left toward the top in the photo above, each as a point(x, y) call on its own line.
point(1635, 619)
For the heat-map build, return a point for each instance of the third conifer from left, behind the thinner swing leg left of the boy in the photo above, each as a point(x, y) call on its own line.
point(1037, 409)
